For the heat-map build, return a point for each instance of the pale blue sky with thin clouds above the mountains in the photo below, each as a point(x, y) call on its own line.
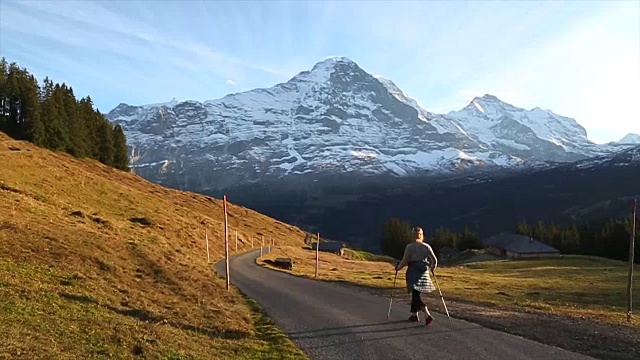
point(578, 58)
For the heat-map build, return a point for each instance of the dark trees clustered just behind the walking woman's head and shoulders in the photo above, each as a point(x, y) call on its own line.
point(397, 234)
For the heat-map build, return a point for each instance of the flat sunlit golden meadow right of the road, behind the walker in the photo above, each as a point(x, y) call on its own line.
point(573, 285)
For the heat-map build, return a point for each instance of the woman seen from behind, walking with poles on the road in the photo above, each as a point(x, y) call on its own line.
point(419, 258)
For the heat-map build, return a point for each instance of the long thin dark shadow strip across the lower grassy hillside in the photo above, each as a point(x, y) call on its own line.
point(147, 316)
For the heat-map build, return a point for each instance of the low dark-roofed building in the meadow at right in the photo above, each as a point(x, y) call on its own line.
point(518, 246)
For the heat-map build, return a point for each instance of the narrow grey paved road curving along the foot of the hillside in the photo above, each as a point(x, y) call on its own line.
point(338, 321)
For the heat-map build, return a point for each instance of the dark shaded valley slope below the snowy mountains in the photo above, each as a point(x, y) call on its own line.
point(345, 208)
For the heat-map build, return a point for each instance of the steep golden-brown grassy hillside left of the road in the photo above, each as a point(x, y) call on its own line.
point(96, 263)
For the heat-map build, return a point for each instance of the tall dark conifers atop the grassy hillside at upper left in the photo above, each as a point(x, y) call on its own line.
point(50, 116)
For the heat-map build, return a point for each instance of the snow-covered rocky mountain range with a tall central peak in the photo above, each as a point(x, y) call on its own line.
point(336, 118)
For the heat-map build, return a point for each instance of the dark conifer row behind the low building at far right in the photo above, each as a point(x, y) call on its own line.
point(606, 238)
